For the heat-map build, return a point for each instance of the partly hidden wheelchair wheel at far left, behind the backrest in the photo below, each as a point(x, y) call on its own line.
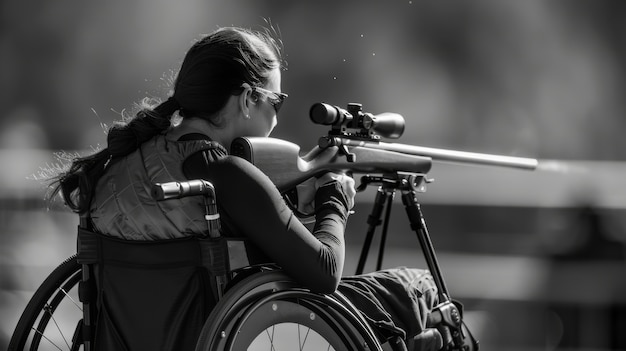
point(52, 316)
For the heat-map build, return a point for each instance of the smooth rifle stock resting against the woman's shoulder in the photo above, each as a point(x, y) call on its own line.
point(281, 161)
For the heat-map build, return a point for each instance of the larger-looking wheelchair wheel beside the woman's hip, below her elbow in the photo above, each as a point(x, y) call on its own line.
point(267, 311)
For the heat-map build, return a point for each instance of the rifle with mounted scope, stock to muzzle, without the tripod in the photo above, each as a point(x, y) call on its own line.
point(357, 136)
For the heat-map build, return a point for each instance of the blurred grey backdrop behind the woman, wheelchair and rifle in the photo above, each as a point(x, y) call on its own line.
point(537, 257)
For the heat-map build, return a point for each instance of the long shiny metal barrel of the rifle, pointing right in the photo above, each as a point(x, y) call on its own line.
point(446, 155)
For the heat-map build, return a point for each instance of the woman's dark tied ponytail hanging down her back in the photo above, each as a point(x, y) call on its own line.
point(77, 184)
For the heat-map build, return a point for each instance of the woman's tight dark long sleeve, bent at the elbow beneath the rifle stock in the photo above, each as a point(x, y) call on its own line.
point(251, 206)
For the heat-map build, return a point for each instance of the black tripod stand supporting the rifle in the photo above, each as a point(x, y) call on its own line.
point(447, 316)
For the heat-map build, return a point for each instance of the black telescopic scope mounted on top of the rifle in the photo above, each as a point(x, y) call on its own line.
point(387, 125)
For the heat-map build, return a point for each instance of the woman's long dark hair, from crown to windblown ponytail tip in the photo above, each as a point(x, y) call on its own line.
point(214, 68)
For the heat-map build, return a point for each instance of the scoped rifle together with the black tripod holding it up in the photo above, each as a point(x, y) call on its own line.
point(359, 149)
